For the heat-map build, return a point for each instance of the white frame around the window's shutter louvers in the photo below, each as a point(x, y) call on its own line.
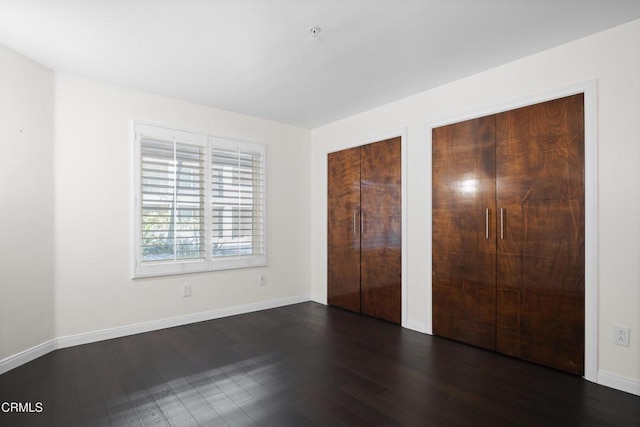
point(209, 262)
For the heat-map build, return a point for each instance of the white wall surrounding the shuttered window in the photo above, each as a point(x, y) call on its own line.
point(93, 210)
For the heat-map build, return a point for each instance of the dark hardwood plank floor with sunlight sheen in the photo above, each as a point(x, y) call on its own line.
point(305, 364)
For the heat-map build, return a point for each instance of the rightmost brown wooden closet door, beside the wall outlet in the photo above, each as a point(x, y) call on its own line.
point(540, 262)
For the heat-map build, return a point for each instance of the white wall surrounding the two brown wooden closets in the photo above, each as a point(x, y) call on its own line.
point(611, 57)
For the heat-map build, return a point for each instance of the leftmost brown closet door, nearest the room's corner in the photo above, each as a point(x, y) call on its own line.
point(343, 229)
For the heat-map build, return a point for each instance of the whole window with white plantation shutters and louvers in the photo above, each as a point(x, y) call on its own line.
point(199, 202)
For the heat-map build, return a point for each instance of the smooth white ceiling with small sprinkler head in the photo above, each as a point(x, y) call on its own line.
point(258, 57)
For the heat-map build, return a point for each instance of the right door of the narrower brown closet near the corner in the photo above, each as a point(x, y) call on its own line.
point(381, 230)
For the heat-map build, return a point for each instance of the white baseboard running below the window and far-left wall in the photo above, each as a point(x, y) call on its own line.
point(40, 350)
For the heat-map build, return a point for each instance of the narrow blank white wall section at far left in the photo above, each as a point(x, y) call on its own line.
point(26, 204)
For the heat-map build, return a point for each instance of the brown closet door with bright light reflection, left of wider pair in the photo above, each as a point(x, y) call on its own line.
point(464, 232)
